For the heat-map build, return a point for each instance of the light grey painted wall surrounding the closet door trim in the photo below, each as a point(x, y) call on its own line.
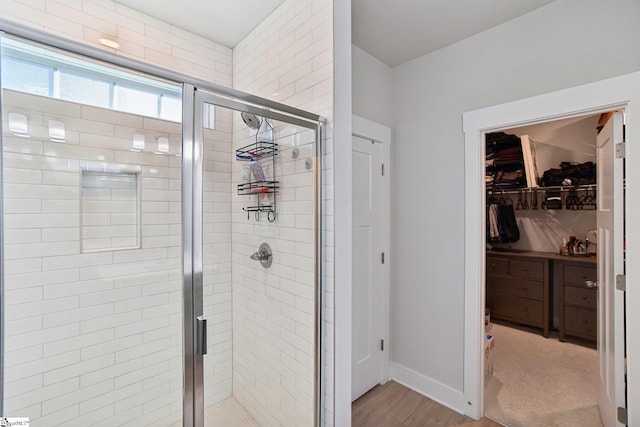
point(560, 45)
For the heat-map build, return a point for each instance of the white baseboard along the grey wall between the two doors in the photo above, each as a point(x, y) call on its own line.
point(434, 390)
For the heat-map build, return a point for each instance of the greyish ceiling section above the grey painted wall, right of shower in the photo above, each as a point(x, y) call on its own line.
point(398, 31)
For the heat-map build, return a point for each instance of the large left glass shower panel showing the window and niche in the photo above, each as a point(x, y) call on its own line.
point(91, 221)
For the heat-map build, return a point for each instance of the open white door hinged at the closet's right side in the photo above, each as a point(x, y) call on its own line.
point(610, 263)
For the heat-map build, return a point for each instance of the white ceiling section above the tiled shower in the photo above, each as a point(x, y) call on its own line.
point(224, 21)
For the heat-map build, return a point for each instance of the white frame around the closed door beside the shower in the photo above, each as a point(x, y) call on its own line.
point(367, 129)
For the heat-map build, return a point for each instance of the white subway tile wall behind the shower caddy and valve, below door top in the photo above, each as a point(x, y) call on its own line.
point(274, 309)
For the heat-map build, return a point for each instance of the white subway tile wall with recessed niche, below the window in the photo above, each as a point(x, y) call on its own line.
point(93, 338)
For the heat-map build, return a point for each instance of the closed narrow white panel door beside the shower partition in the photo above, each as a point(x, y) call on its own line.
point(368, 275)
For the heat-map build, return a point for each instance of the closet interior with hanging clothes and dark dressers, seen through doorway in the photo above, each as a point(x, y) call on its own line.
point(541, 359)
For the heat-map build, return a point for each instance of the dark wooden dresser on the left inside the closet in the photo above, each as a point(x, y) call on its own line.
point(517, 288)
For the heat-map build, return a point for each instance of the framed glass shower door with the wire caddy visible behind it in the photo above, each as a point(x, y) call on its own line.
point(259, 180)
